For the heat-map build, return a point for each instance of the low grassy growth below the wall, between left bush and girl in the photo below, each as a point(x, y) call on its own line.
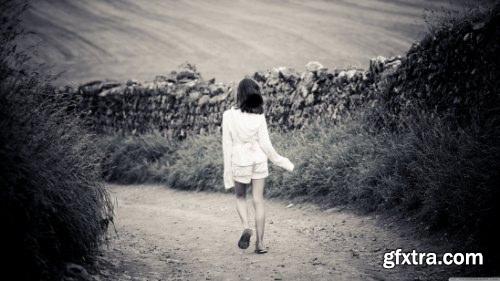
point(193, 164)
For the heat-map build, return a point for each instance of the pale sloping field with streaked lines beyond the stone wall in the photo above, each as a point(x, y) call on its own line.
point(226, 39)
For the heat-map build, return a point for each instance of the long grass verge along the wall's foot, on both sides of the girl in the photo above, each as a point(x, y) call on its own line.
point(430, 169)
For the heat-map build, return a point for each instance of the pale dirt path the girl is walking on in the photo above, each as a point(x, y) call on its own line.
point(166, 234)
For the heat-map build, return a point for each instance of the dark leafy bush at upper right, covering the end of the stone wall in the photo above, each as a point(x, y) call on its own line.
point(451, 72)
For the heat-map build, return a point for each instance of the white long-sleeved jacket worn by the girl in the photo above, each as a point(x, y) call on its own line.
point(245, 141)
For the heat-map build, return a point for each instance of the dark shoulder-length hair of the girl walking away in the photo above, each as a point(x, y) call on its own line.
point(249, 98)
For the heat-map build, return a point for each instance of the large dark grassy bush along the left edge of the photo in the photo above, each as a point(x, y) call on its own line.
point(52, 205)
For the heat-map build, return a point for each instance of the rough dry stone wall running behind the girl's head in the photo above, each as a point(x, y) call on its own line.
point(183, 103)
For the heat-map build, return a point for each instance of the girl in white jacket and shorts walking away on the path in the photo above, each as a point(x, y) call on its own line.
point(246, 148)
